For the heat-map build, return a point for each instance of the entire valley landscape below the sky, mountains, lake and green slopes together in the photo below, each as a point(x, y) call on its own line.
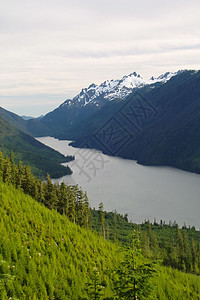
point(107, 170)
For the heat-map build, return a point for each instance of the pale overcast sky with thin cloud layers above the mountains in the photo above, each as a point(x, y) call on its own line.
point(50, 50)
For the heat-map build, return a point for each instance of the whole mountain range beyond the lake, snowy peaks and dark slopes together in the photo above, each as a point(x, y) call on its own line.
point(155, 121)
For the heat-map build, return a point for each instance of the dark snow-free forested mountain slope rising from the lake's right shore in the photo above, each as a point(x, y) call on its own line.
point(158, 126)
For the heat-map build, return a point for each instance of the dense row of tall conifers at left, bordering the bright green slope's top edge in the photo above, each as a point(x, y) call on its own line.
point(66, 199)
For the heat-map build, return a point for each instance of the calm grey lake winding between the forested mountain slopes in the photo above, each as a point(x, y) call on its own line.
point(143, 192)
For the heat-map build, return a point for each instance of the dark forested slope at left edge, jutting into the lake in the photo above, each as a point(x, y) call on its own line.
point(41, 158)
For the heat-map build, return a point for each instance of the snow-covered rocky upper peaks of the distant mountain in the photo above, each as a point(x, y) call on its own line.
point(112, 89)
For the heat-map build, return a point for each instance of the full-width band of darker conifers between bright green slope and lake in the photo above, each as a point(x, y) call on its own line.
point(177, 248)
